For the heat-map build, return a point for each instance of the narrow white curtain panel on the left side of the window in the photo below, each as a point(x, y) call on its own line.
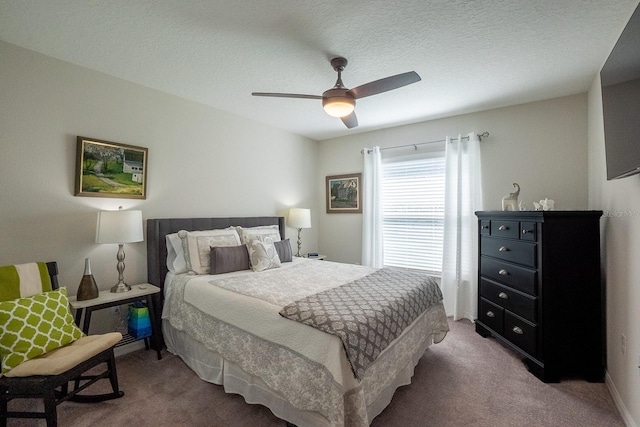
point(372, 251)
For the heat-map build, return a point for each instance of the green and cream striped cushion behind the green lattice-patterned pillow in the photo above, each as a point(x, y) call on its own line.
point(23, 280)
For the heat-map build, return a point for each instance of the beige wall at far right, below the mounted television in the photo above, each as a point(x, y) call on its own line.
point(620, 199)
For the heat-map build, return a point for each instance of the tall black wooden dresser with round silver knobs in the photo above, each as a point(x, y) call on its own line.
point(540, 291)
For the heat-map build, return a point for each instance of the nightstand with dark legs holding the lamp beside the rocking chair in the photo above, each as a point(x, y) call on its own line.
point(106, 299)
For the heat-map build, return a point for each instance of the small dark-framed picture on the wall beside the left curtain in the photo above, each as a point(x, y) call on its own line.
point(344, 193)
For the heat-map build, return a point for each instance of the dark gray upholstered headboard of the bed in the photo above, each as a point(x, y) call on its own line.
point(157, 229)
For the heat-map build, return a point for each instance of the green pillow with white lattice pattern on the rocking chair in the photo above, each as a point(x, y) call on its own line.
point(32, 326)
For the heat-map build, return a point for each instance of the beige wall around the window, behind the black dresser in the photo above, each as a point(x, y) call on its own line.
point(542, 146)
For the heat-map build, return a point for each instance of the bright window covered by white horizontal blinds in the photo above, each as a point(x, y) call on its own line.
point(413, 212)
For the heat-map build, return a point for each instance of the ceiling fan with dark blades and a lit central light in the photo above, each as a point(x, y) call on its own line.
point(340, 101)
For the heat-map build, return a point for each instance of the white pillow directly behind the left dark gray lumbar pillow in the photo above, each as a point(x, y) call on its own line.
point(197, 246)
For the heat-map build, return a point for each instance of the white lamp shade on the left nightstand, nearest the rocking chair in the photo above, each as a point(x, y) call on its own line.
point(119, 227)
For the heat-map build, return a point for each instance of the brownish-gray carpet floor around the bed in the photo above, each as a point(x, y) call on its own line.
point(465, 380)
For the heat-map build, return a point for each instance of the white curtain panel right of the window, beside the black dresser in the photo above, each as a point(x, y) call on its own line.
point(463, 196)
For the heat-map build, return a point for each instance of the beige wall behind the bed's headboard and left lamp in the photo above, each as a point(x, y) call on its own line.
point(202, 162)
